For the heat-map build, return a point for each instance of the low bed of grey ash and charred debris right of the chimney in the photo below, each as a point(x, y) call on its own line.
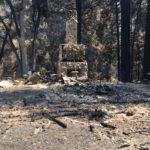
point(105, 93)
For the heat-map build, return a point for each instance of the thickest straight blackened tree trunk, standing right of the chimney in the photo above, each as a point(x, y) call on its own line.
point(125, 41)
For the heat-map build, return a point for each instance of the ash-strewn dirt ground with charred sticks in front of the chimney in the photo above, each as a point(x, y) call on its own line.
point(86, 118)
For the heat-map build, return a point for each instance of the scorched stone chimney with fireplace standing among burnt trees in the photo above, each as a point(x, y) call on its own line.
point(72, 55)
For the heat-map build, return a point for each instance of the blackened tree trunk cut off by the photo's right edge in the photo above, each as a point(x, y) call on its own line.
point(146, 61)
